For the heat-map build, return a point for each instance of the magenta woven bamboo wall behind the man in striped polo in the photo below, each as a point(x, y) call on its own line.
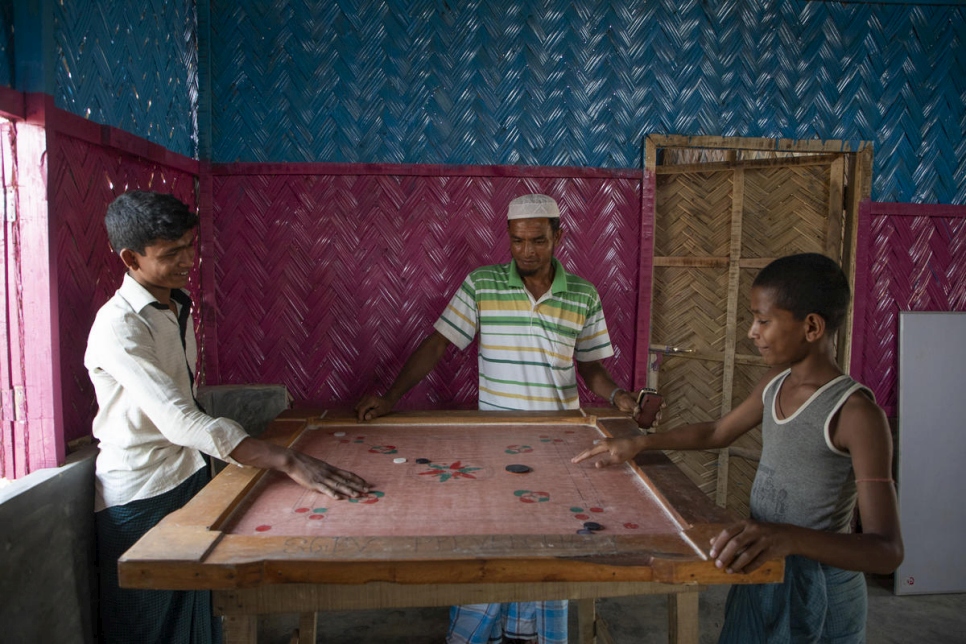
point(328, 278)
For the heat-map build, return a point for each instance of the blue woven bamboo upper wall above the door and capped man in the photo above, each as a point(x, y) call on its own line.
point(578, 82)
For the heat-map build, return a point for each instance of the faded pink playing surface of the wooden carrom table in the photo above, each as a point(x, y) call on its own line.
point(463, 490)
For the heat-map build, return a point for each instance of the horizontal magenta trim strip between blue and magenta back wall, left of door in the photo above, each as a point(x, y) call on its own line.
point(425, 170)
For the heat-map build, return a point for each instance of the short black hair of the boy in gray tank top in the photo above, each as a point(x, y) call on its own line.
point(808, 283)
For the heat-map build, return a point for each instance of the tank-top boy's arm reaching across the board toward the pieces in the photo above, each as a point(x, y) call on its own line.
point(710, 435)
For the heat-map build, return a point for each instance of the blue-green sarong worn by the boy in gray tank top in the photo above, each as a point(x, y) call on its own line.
point(815, 603)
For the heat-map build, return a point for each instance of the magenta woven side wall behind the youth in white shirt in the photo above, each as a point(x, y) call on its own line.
point(84, 178)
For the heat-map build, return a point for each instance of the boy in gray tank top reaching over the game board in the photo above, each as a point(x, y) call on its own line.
point(826, 446)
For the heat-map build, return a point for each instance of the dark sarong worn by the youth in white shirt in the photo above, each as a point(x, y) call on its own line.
point(144, 616)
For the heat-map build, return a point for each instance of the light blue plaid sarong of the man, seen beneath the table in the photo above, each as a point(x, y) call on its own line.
point(543, 622)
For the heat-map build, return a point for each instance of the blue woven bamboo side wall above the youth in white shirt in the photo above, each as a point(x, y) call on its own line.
point(131, 65)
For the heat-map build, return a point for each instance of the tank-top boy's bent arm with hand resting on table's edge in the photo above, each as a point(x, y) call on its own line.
point(862, 431)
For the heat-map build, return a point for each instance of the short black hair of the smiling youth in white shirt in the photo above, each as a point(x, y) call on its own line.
point(137, 219)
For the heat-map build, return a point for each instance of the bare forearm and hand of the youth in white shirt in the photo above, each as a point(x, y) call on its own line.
point(307, 471)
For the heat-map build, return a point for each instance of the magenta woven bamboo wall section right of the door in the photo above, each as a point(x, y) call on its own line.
point(913, 258)
